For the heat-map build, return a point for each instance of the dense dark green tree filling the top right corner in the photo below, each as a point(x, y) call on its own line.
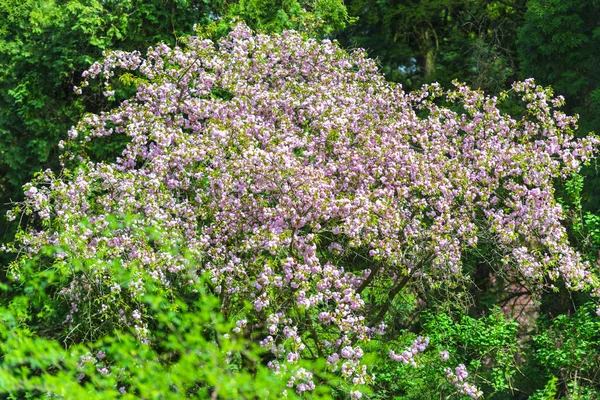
point(558, 45)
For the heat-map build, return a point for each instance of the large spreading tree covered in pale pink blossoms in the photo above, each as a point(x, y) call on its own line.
point(293, 177)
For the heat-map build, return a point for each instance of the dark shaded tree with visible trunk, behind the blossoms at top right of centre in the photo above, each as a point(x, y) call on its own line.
point(439, 40)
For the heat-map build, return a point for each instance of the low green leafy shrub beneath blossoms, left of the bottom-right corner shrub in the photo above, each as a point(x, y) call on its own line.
point(488, 346)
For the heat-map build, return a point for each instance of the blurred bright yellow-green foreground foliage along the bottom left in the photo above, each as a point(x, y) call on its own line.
point(183, 361)
